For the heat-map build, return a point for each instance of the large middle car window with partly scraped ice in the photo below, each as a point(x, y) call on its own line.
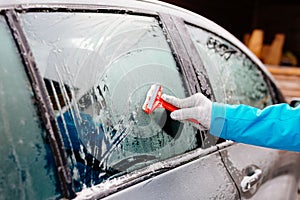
point(98, 68)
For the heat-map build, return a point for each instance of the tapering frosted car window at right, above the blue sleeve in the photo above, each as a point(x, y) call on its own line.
point(233, 76)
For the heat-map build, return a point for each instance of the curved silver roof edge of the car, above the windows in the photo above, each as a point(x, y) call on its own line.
point(153, 6)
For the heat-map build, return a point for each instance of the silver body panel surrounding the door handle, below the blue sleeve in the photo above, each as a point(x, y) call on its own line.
point(277, 182)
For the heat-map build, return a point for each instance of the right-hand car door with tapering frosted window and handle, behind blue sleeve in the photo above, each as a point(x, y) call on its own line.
point(259, 173)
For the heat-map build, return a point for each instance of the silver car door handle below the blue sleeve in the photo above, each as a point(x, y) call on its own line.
point(249, 181)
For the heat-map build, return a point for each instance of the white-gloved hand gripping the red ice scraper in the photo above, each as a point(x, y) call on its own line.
point(196, 107)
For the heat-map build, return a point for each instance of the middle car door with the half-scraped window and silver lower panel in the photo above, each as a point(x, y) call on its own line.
point(97, 66)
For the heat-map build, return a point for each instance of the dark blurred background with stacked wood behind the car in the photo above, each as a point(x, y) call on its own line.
point(270, 29)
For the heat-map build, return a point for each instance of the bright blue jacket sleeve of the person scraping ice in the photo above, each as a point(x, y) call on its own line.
point(276, 126)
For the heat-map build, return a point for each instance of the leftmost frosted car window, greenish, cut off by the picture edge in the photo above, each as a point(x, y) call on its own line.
point(26, 164)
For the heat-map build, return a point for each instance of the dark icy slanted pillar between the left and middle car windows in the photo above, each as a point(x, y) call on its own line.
point(43, 104)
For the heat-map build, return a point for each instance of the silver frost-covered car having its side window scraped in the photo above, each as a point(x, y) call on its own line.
point(74, 76)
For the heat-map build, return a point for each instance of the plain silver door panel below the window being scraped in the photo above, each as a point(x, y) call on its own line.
point(189, 181)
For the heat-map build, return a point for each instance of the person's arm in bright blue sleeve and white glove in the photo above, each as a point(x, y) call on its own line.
point(276, 126)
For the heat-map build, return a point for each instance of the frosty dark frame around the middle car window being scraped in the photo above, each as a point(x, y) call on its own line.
point(181, 57)
